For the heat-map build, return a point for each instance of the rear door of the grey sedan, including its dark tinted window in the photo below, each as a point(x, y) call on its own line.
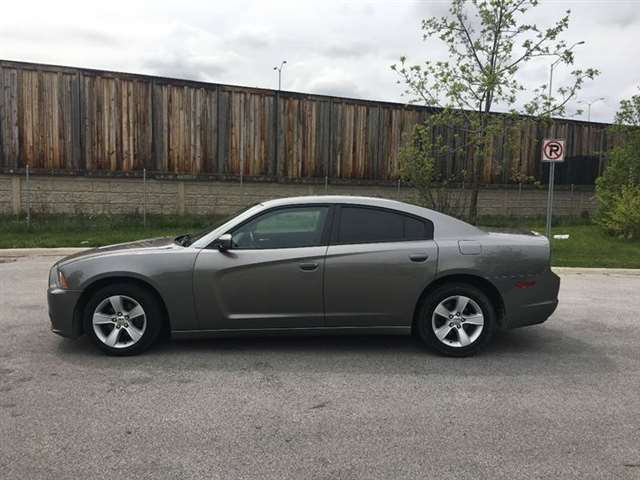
point(377, 265)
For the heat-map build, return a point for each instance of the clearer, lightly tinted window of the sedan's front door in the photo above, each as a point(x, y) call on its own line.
point(282, 228)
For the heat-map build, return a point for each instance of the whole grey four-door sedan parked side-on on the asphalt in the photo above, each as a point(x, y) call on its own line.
point(309, 265)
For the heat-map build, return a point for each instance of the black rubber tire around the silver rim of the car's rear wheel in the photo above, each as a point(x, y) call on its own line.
point(425, 327)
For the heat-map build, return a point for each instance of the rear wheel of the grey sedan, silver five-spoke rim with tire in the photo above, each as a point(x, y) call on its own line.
point(456, 320)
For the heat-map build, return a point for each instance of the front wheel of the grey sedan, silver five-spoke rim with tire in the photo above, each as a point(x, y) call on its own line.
point(123, 319)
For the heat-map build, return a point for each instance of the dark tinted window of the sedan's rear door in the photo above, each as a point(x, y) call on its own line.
point(367, 225)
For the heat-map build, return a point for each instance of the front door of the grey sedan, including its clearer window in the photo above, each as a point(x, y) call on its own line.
point(272, 277)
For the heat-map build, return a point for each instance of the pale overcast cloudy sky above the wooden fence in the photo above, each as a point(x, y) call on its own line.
point(332, 47)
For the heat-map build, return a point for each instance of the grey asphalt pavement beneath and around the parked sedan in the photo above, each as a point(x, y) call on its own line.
point(561, 400)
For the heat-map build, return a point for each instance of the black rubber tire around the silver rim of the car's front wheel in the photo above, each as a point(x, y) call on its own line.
point(153, 314)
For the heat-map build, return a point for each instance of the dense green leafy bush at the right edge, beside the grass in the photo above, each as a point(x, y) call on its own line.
point(618, 189)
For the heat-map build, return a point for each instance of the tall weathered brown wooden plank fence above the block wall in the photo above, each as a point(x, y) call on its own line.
point(61, 118)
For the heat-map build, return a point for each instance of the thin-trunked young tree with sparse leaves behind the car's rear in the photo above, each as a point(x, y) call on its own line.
point(488, 43)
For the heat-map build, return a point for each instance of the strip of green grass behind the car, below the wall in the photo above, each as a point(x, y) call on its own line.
point(587, 246)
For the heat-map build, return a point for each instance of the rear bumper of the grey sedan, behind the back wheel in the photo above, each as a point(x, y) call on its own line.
point(531, 306)
